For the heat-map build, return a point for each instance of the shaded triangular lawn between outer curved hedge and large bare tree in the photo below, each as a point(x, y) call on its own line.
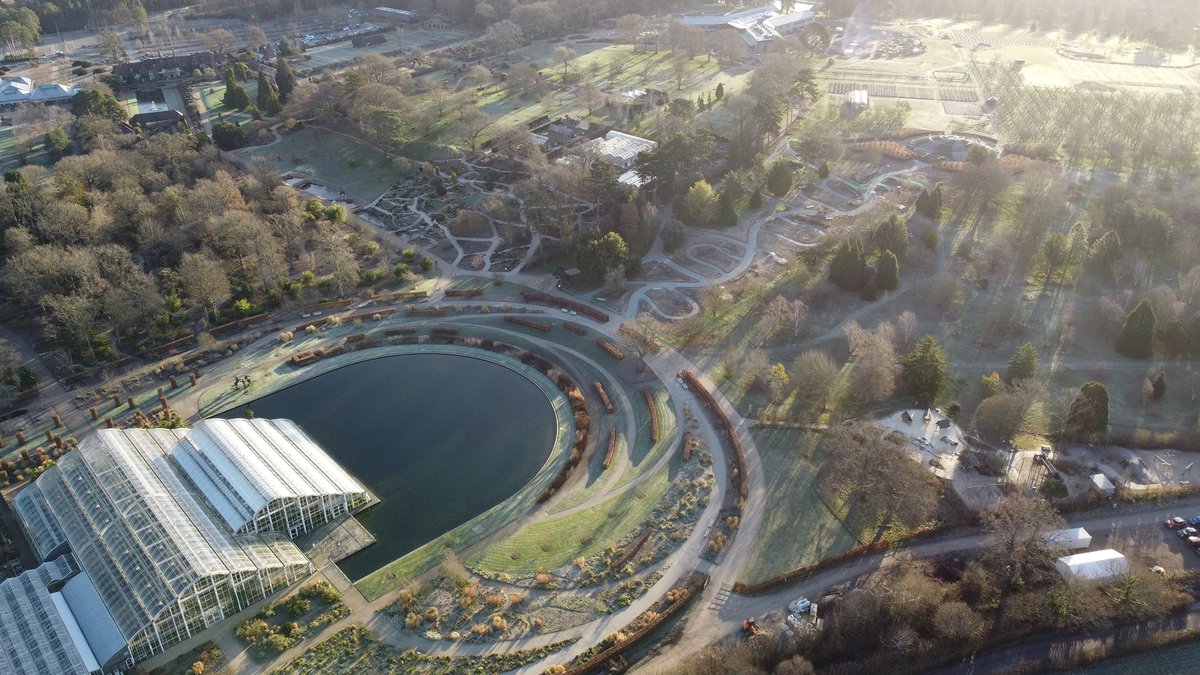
point(799, 529)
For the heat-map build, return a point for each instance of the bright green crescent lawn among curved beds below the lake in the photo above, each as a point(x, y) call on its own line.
point(601, 525)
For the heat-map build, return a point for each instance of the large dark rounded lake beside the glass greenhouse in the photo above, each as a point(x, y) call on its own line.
point(440, 439)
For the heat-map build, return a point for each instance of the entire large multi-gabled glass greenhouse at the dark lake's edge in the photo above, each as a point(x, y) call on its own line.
point(171, 531)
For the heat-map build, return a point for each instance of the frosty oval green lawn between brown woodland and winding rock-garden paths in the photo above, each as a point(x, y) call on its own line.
point(332, 159)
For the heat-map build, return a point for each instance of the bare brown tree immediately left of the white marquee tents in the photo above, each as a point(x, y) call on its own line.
point(1017, 524)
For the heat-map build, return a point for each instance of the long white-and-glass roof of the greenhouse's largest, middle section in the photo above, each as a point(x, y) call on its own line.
point(140, 533)
